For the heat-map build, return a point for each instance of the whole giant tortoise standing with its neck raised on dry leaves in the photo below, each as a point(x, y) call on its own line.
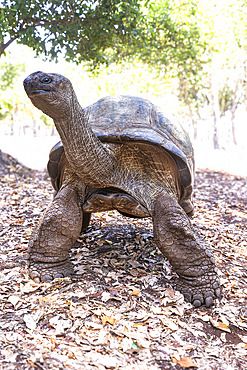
point(119, 153)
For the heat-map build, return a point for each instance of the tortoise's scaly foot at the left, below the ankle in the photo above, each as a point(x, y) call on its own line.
point(39, 271)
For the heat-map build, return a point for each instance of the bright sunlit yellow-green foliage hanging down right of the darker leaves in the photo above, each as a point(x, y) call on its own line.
point(173, 44)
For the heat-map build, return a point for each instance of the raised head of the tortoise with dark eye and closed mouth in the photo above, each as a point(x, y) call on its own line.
point(50, 92)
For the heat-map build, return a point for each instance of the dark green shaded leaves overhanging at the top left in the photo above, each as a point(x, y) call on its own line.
point(82, 30)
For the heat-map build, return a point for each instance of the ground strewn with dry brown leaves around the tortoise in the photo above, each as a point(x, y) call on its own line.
point(119, 310)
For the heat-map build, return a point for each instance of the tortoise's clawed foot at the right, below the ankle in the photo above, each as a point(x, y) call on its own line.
point(201, 290)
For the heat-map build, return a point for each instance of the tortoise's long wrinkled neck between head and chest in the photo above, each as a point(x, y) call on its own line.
point(90, 159)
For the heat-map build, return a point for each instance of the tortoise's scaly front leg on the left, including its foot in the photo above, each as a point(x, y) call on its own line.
point(58, 230)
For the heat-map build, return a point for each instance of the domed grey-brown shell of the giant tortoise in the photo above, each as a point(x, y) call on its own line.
point(118, 119)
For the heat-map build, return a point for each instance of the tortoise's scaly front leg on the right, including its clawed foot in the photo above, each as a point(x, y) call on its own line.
point(188, 254)
